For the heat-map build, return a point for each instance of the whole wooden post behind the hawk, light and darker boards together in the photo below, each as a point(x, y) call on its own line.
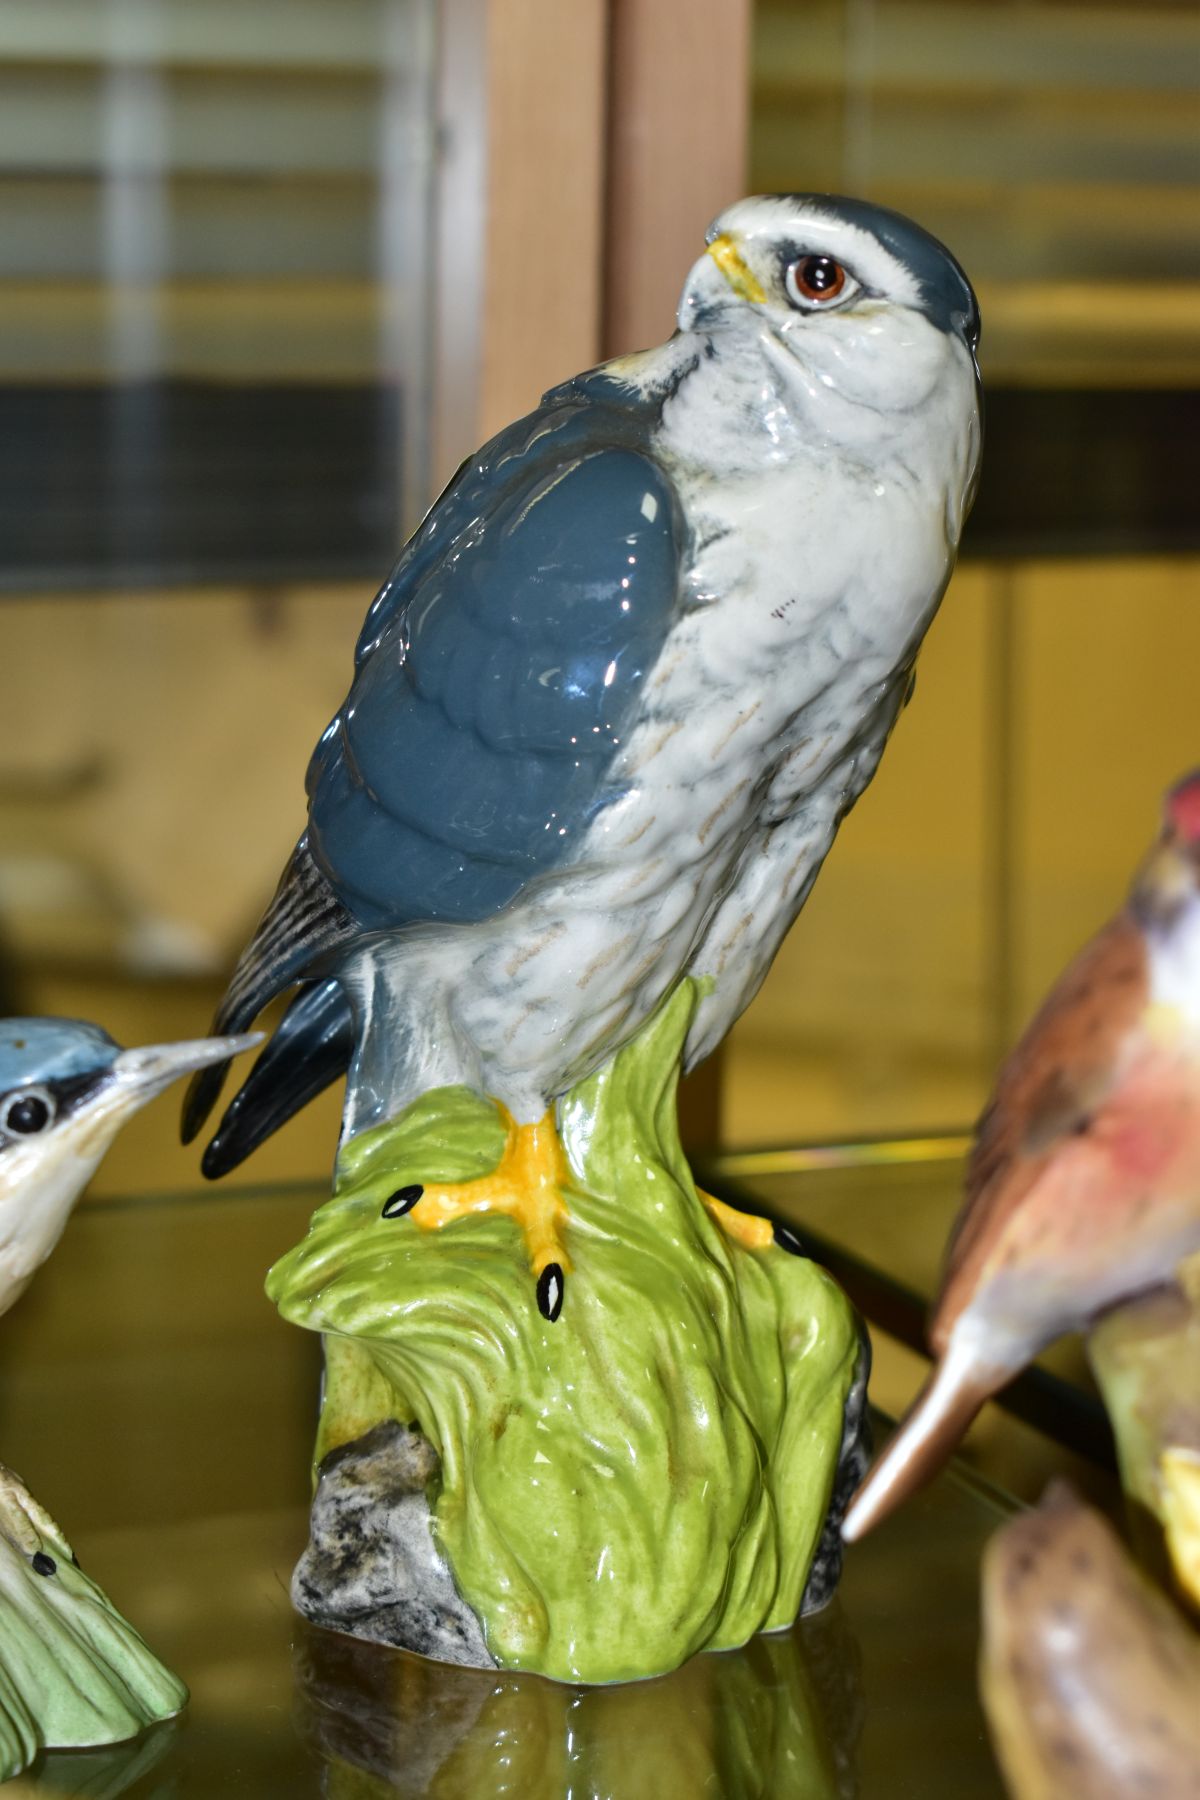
point(586, 145)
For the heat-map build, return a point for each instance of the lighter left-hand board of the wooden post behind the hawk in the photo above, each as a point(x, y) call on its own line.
point(519, 210)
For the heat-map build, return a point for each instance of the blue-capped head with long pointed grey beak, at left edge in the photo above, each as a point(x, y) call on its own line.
point(66, 1090)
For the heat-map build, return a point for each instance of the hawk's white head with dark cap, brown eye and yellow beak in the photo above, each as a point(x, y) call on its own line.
point(854, 298)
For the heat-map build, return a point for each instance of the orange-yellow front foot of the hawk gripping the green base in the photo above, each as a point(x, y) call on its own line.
point(526, 1185)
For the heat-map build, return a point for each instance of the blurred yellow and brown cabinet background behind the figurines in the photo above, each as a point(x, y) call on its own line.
point(271, 267)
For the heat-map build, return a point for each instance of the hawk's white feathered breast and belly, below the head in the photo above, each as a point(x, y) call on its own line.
point(816, 566)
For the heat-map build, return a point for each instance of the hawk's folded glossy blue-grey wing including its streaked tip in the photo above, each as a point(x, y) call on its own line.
point(496, 678)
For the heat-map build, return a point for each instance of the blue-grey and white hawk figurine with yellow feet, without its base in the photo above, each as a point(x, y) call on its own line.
point(618, 694)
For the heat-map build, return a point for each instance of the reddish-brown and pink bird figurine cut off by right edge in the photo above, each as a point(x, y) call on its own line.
point(1084, 1185)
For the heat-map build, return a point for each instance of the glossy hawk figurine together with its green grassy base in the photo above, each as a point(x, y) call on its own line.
point(605, 723)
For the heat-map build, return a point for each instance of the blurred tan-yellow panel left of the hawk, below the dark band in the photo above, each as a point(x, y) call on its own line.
point(152, 784)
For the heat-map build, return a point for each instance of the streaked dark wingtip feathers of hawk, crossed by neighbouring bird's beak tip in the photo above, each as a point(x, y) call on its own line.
point(303, 922)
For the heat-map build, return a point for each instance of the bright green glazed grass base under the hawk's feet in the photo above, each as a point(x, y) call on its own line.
point(649, 1475)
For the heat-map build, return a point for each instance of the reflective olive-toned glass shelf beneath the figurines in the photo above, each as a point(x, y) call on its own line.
point(157, 1405)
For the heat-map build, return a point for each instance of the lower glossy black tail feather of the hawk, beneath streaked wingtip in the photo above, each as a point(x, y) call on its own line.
point(310, 1050)
